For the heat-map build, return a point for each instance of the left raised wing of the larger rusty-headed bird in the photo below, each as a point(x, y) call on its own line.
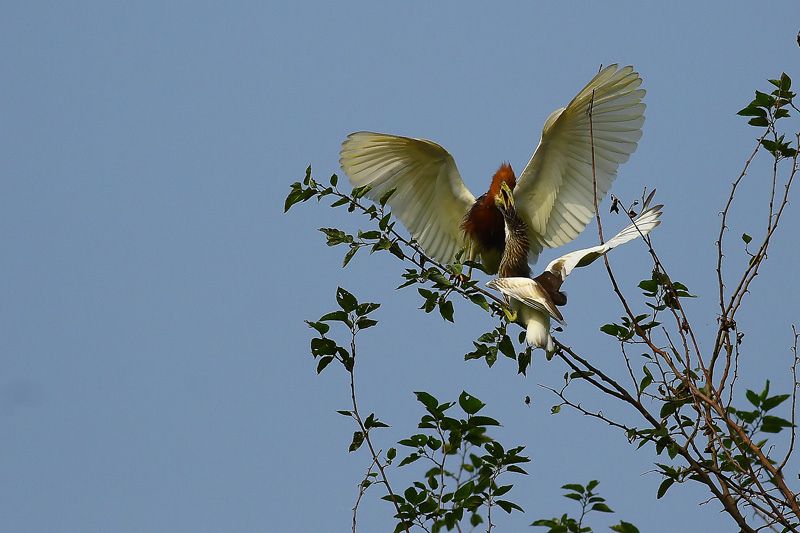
point(430, 198)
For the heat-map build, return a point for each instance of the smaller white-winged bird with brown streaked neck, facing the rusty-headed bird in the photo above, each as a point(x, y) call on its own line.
point(533, 301)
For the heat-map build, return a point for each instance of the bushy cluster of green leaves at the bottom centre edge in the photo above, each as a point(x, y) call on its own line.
point(449, 493)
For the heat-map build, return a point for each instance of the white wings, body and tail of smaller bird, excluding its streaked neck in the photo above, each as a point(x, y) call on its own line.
point(532, 299)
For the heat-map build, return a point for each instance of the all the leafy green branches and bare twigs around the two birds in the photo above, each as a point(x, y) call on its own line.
point(684, 401)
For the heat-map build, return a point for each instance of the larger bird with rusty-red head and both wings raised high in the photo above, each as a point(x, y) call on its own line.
point(555, 194)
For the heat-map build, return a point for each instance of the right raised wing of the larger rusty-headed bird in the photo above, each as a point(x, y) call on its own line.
point(554, 194)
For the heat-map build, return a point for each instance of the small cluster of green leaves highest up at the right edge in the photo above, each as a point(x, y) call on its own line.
point(766, 109)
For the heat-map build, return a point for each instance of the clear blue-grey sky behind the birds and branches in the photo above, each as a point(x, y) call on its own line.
point(155, 366)
